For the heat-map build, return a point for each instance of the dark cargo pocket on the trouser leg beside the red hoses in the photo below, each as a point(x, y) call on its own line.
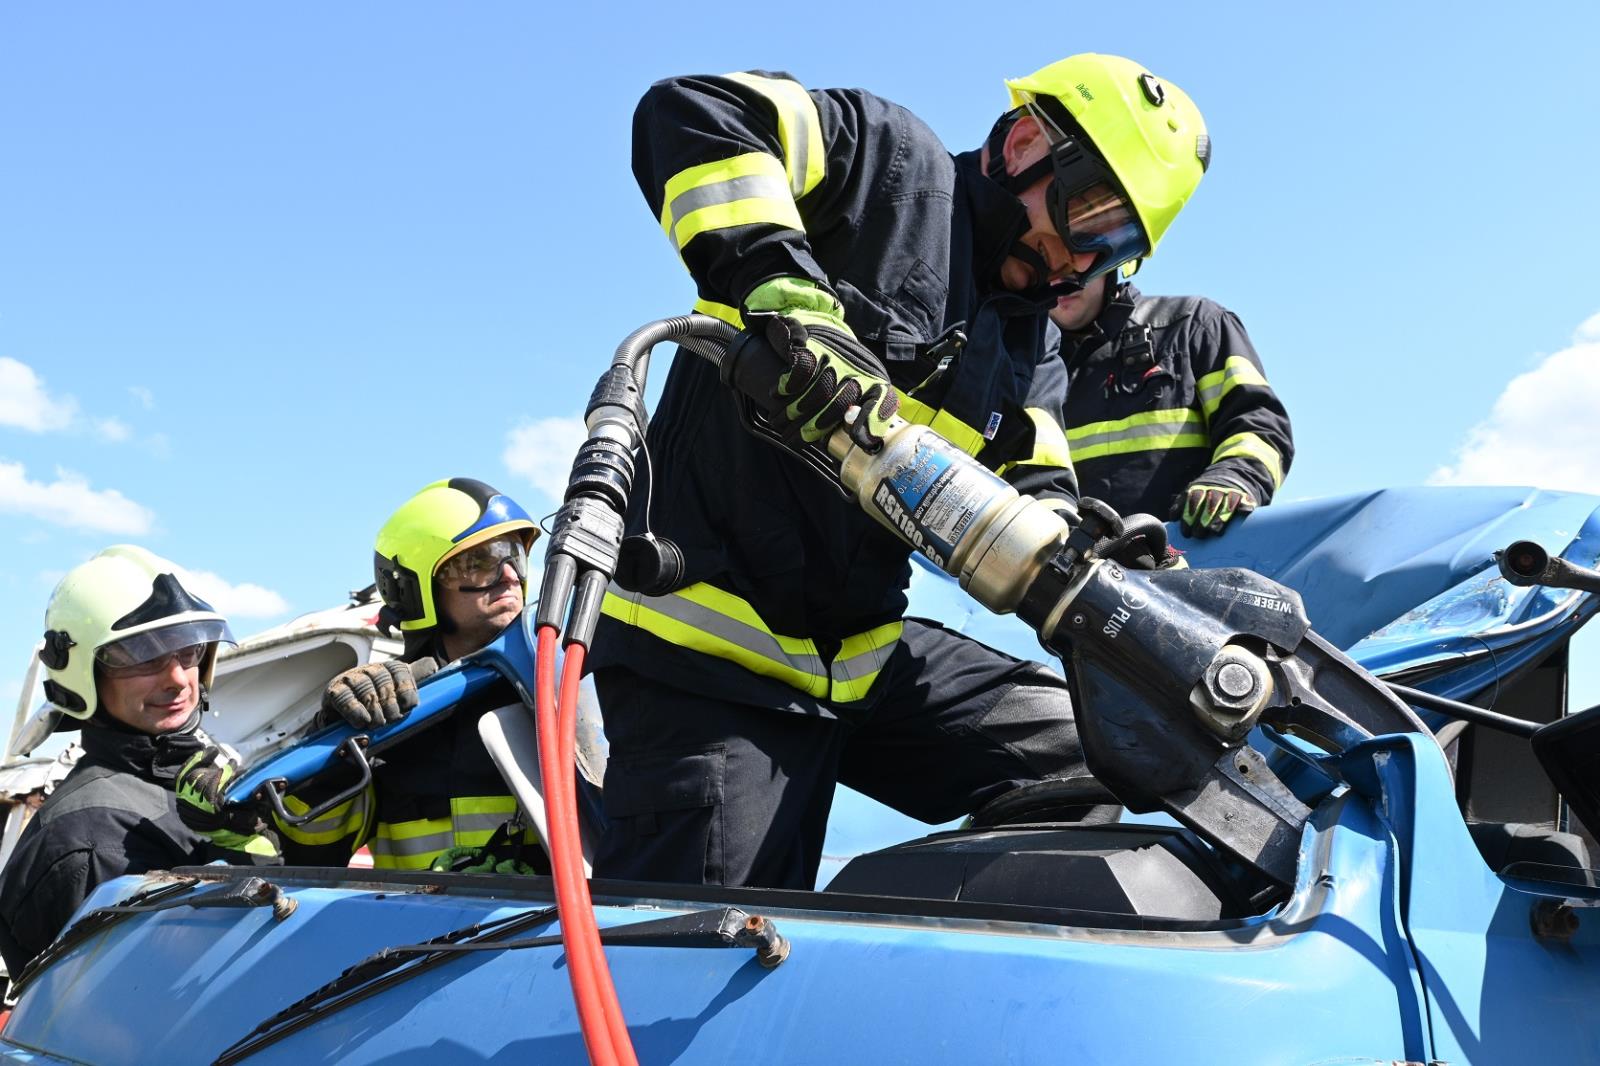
point(668, 808)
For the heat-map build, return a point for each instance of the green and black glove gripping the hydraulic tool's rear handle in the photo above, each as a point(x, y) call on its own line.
point(830, 371)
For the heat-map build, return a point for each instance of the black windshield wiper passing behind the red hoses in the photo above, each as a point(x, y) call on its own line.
point(729, 928)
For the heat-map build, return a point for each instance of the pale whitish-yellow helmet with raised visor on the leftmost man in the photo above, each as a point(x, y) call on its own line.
point(126, 606)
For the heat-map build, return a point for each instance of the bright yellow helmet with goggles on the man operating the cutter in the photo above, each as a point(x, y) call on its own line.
point(1111, 119)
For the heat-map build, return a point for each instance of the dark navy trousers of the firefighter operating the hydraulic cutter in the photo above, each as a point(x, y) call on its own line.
point(710, 791)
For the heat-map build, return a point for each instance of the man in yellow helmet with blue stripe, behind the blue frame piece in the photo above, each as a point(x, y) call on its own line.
point(452, 569)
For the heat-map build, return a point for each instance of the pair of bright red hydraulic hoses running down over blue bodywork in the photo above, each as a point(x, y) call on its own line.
point(599, 1014)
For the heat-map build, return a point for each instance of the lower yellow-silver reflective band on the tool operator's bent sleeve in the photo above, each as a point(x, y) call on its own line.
point(727, 193)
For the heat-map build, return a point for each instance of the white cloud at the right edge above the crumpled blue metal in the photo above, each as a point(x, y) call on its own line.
point(1543, 430)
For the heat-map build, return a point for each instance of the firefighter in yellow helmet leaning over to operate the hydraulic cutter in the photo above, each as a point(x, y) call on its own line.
point(770, 660)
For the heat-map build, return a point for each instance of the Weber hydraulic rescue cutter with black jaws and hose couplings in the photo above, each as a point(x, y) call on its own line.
point(1172, 668)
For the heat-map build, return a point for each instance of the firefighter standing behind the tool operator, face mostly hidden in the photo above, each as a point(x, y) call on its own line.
point(1169, 411)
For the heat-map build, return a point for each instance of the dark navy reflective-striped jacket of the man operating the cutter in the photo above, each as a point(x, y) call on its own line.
point(793, 595)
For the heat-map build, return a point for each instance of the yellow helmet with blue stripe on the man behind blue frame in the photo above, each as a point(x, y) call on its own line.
point(441, 523)
